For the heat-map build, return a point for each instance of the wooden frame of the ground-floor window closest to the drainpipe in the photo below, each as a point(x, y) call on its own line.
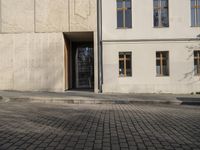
point(124, 59)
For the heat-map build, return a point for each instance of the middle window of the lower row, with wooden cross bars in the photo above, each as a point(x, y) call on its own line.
point(162, 63)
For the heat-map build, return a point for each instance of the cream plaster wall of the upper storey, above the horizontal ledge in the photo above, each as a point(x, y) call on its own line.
point(142, 21)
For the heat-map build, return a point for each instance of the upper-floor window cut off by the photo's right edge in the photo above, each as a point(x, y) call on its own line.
point(195, 13)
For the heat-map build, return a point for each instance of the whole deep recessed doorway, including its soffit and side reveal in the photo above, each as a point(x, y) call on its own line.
point(75, 41)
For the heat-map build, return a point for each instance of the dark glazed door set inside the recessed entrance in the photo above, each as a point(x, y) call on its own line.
point(82, 71)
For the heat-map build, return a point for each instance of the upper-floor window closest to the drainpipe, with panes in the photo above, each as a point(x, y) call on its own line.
point(124, 14)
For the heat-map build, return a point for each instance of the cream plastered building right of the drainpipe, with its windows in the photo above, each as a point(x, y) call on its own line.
point(151, 46)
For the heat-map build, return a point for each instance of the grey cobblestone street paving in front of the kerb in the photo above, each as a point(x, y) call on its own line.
point(47, 126)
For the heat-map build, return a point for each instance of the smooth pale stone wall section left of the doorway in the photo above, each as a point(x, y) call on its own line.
point(32, 62)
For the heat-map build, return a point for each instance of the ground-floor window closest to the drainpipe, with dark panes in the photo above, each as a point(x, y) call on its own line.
point(125, 67)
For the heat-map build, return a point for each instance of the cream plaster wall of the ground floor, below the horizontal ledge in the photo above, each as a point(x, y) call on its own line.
point(144, 79)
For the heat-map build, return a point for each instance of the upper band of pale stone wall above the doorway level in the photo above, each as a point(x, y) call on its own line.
point(19, 16)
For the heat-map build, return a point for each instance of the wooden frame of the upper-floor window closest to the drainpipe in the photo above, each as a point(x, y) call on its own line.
point(123, 8)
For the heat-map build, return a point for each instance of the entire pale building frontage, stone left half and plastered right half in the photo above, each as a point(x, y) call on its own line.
point(123, 46)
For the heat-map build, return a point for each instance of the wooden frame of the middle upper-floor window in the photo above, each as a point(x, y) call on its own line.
point(159, 9)
